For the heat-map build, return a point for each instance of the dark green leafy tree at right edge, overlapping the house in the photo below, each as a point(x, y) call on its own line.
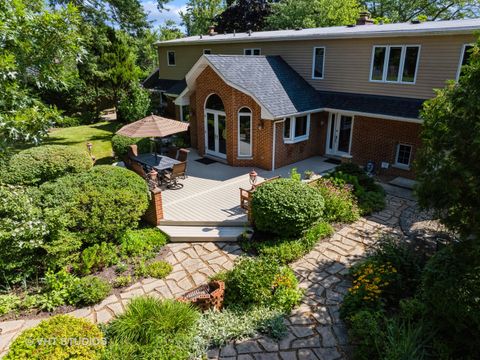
point(448, 164)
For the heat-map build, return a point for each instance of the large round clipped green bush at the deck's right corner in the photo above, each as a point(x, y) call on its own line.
point(286, 207)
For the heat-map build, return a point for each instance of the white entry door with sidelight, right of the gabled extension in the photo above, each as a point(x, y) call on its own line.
point(339, 136)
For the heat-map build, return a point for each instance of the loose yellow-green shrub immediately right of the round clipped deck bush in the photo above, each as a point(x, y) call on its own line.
point(340, 204)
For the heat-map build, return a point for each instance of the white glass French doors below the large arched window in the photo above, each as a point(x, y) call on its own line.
point(216, 133)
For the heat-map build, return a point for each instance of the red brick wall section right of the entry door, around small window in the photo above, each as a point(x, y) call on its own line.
point(377, 140)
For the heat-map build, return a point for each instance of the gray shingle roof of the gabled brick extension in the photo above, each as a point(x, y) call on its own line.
point(270, 80)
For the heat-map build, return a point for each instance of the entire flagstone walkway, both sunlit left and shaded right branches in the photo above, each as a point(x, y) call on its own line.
point(315, 330)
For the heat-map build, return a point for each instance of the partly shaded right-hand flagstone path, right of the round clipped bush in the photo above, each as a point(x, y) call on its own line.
point(315, 330)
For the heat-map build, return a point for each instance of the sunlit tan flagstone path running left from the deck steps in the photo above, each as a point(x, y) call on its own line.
point(192, 263)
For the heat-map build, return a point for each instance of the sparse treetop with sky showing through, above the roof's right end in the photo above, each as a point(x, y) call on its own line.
point(401, 11)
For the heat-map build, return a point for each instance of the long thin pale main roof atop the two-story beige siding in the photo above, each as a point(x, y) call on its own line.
point(384, 30)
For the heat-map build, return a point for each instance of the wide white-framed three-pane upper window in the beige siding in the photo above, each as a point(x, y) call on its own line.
point(395, 63)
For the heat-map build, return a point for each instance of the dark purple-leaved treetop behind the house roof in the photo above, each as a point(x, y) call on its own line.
point(244, 15)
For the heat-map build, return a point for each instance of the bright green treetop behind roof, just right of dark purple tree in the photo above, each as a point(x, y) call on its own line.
point(292, 14)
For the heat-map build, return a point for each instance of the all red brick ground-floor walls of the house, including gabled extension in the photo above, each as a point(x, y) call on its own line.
point(372, 138)
